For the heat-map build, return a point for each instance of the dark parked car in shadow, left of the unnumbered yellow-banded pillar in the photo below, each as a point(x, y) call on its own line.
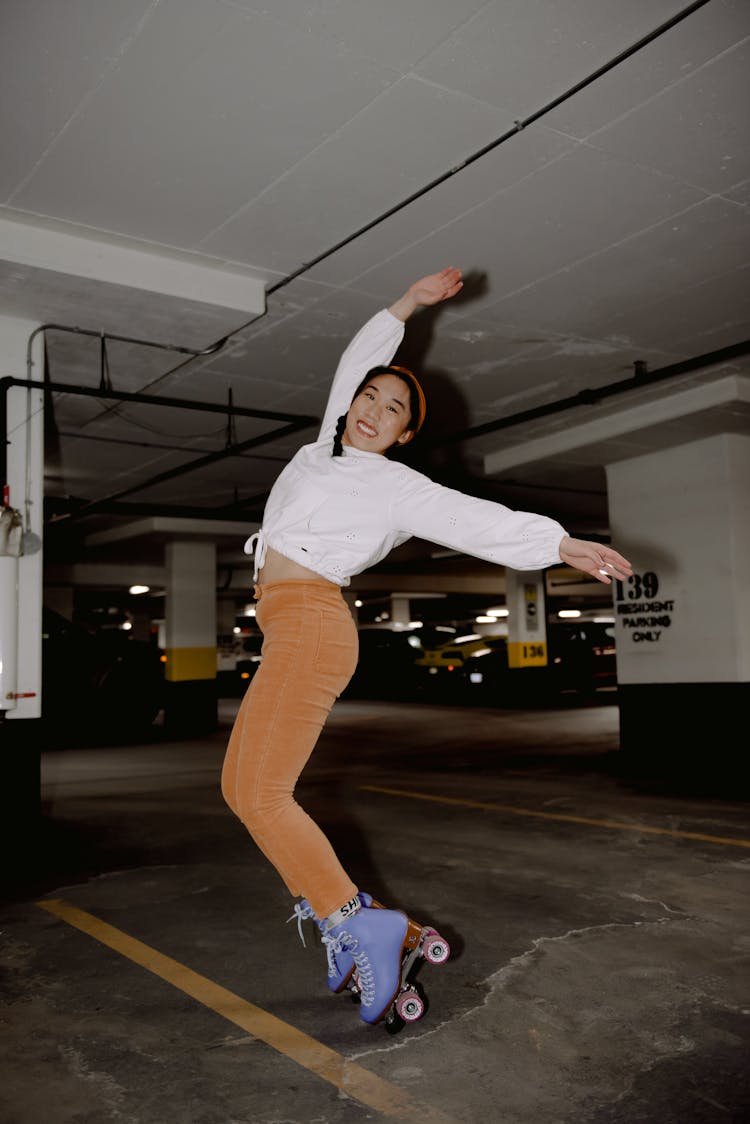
point(98, 683)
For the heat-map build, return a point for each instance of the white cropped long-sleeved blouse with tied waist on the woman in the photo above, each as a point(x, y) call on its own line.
point(340, 515)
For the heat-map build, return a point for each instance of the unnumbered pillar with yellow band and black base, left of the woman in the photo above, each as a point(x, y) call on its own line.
point(191, 638)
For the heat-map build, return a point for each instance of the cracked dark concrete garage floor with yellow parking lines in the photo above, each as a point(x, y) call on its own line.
point(600, 931)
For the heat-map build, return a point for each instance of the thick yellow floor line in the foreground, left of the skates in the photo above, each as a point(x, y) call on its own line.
point(356, 1082)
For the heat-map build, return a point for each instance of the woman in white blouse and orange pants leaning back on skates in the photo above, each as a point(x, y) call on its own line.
point(339, 507)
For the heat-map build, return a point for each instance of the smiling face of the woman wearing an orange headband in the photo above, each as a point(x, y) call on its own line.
point(379, 416)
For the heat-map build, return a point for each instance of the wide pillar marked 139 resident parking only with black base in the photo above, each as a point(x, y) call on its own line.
point(683, 622)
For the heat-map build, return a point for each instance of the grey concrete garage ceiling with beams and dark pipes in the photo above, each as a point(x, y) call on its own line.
point(255, 180)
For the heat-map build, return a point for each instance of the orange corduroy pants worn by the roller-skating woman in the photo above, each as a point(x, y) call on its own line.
point(310, 655)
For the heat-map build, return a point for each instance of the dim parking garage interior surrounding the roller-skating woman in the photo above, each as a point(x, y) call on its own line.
point(200, 207)
